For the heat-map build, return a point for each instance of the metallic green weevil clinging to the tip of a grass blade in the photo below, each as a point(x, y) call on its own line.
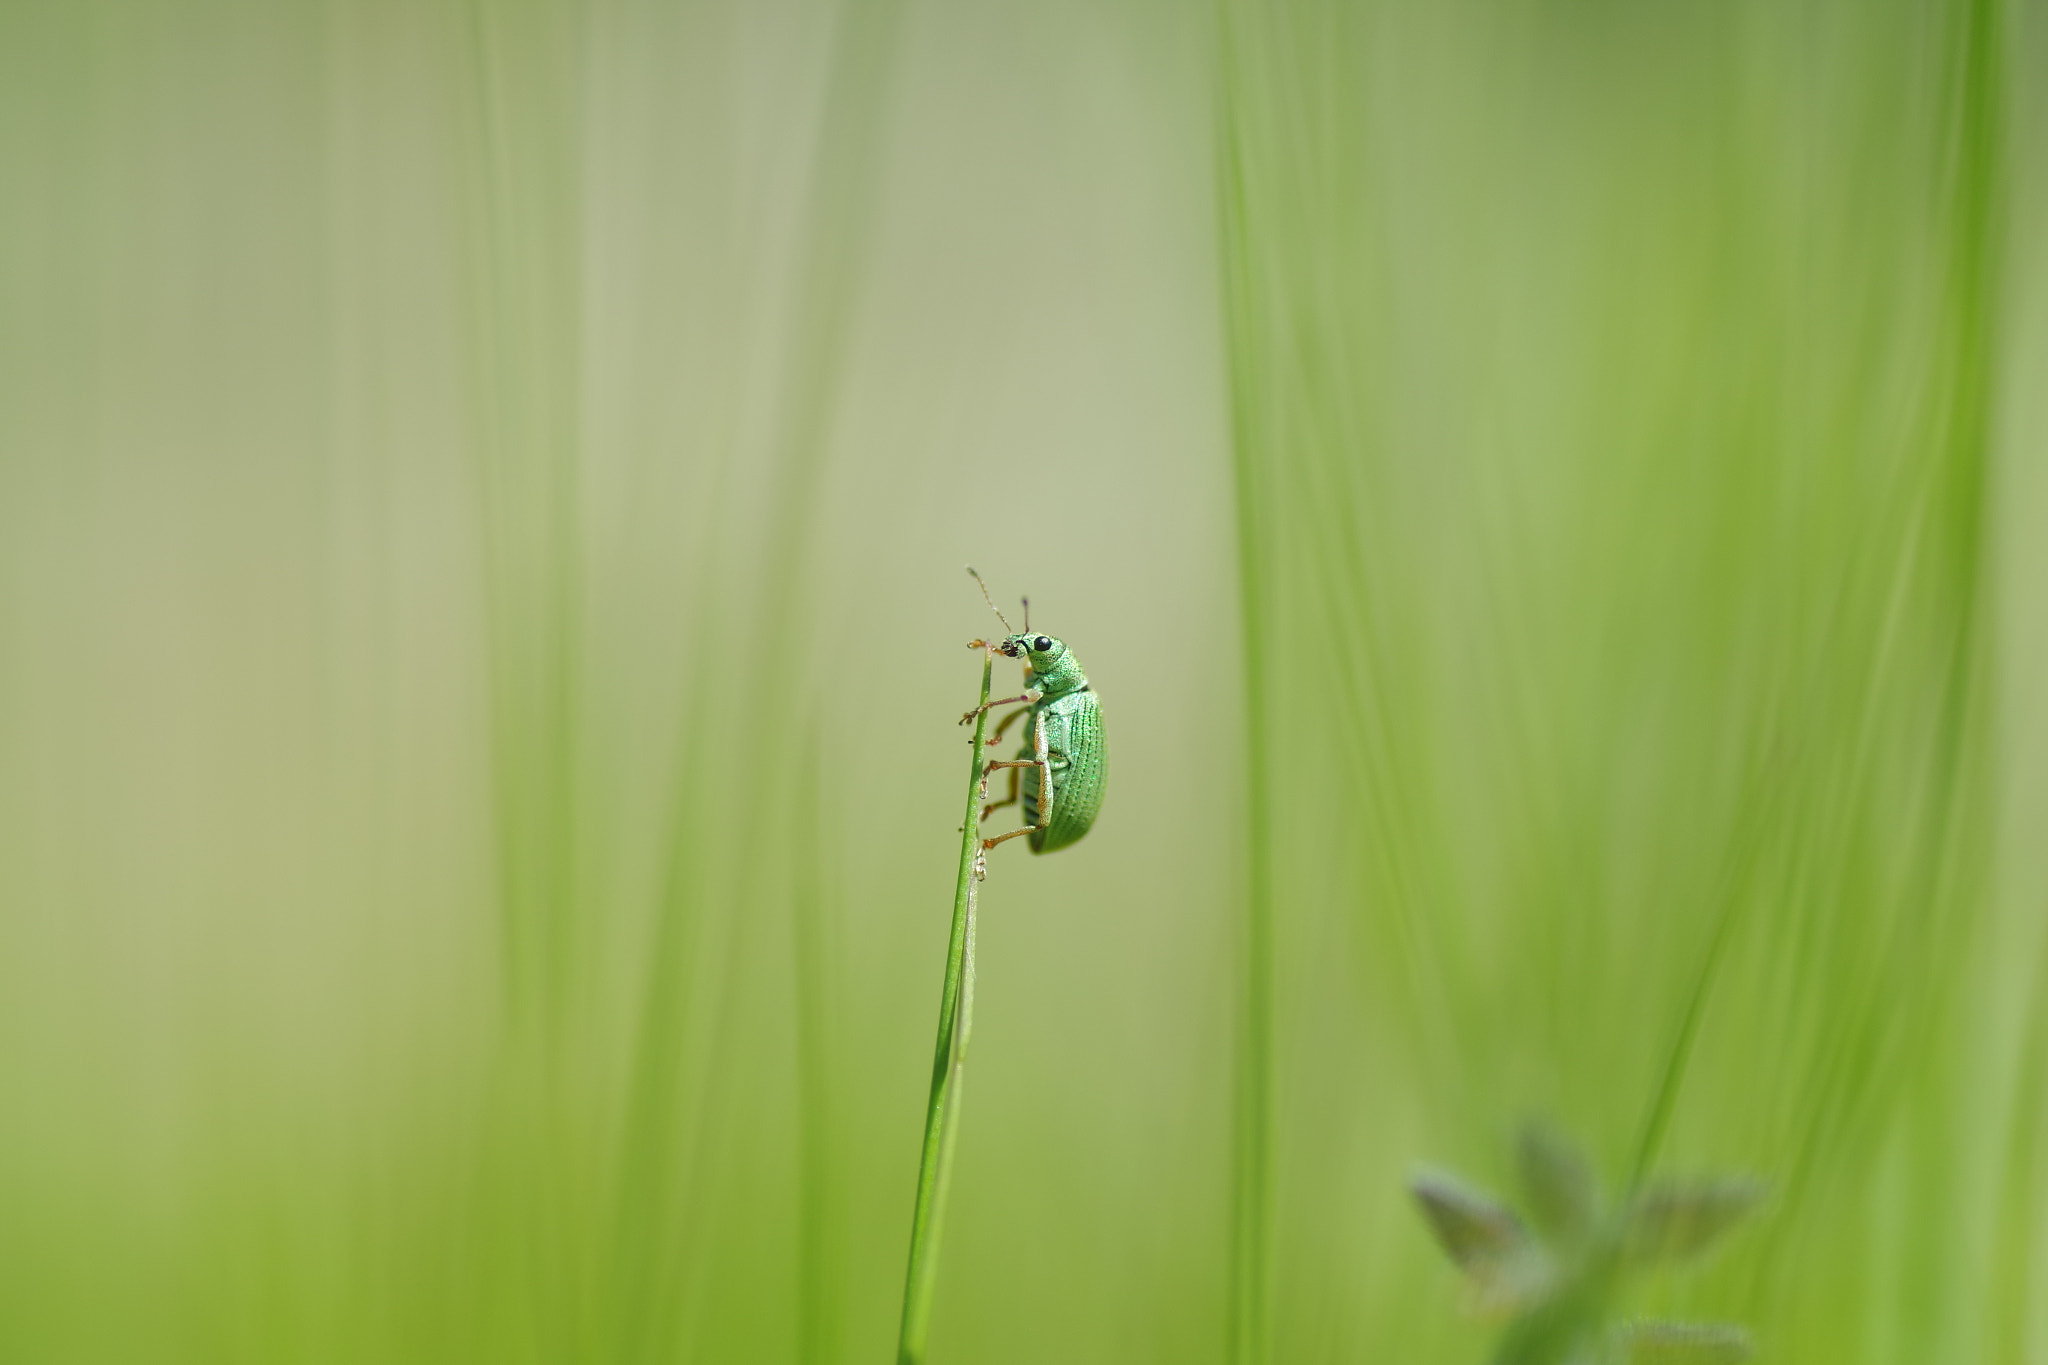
point(1064, 762)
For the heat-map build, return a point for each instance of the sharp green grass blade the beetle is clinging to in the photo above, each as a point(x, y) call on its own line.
point(949, 1063)
